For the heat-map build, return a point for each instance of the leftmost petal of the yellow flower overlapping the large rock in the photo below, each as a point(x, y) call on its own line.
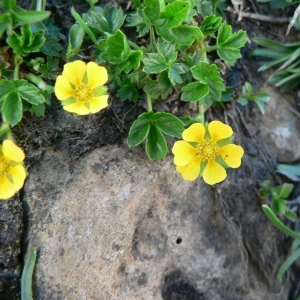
point(183, 152)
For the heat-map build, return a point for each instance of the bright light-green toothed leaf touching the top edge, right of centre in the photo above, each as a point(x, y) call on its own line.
point(175, 13)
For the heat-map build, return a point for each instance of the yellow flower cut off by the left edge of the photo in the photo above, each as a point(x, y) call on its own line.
point(12, 171)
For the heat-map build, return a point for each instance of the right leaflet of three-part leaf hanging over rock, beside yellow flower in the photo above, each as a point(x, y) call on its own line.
point(168, 124)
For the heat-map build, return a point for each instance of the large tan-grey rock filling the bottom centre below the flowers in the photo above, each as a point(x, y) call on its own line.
point(114, 225)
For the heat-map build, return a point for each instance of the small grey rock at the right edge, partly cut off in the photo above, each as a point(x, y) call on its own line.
point(279, 128)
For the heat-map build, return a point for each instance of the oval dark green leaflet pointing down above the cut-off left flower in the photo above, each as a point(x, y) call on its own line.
point(12, 108)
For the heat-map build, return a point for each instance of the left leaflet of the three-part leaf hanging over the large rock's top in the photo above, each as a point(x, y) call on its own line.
point(139, 129)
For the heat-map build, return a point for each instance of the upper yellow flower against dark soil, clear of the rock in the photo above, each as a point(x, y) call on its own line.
point(80, 87)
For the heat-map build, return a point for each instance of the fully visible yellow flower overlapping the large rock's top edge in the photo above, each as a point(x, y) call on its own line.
point(206, 151)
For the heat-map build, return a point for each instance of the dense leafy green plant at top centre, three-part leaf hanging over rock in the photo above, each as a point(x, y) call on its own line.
point(176, 58)
